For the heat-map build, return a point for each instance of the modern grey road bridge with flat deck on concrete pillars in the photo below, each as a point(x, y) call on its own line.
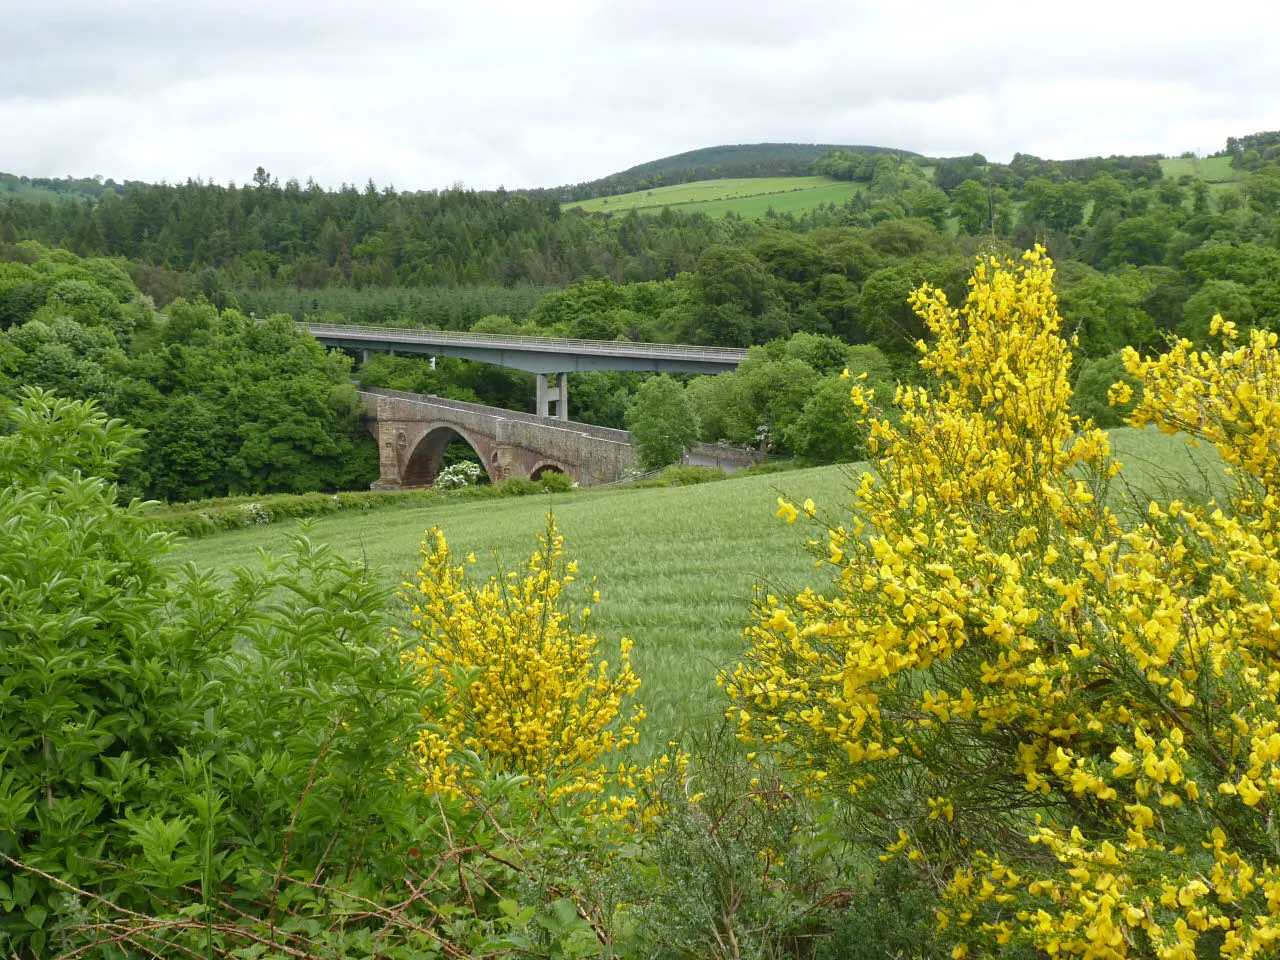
point(545, 356)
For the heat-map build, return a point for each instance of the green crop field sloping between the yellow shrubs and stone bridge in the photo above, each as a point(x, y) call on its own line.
point(675, 566)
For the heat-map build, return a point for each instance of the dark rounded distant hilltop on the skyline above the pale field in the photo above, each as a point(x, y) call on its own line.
point(729, 162)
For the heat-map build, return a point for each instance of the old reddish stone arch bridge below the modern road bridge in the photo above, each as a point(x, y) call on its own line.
point(414, 431)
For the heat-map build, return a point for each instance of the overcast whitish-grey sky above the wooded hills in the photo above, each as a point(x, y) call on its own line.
point(422, 95)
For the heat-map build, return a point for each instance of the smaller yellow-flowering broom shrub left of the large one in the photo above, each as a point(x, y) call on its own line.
point(527, 688)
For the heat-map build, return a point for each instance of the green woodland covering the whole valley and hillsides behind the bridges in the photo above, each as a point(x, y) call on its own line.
point(145, 296)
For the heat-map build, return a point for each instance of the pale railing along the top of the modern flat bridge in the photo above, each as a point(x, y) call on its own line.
point(550, 345)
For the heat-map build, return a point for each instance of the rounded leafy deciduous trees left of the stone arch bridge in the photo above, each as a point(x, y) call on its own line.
point(228, 404)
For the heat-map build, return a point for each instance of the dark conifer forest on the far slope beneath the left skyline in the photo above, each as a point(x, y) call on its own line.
point(235, 243)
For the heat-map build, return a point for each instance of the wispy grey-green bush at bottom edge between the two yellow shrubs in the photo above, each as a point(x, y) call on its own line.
point(756, 871)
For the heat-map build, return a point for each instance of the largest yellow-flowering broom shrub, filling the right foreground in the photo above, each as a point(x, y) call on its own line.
point(1068, 717)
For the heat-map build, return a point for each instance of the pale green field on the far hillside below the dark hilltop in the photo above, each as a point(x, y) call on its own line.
point(747, 198)
